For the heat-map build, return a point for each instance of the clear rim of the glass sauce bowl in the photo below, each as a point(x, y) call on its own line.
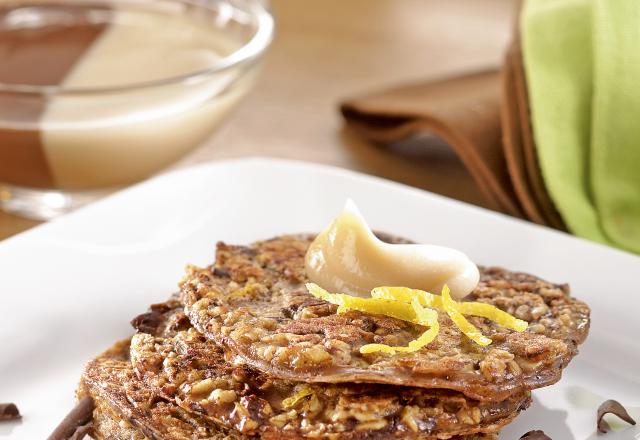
point(249, 52)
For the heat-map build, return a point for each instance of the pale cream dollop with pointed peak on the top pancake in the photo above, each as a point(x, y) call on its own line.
point(348, 258)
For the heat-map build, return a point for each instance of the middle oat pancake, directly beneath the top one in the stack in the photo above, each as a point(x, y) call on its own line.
point(184, 367)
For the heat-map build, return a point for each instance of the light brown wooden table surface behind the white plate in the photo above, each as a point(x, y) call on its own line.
point(326, 50)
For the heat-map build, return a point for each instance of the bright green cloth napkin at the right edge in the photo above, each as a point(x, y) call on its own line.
point(582, 63)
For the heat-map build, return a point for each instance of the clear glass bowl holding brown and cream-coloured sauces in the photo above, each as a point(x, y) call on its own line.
point(98, 94)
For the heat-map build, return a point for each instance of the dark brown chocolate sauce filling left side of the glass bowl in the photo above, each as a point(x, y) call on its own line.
point(39, 45)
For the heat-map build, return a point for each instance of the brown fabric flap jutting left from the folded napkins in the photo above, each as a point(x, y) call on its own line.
point(464, 111)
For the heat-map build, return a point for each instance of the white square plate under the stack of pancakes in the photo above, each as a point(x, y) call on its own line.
point(69, 288)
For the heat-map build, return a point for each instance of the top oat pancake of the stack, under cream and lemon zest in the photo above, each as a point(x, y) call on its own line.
point(253, 303)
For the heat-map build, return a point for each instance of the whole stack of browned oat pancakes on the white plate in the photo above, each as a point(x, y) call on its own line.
point(244, 351)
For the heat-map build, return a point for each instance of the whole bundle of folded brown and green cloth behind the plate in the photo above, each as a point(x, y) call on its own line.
point(553, 138)
